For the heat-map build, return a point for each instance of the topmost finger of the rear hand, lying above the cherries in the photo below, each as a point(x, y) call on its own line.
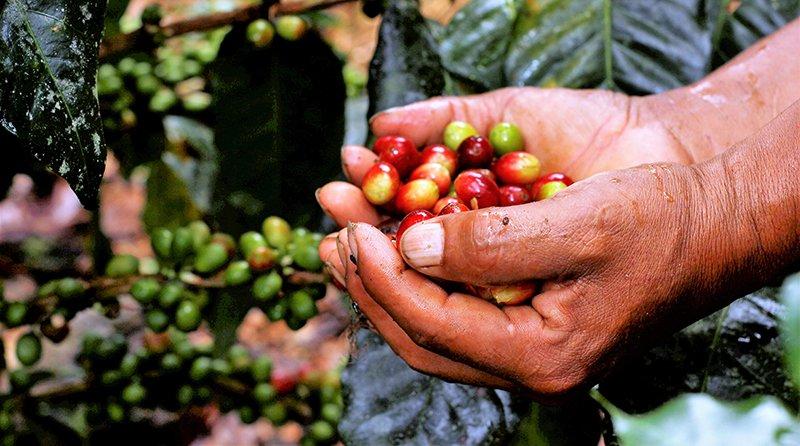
point(424, 121)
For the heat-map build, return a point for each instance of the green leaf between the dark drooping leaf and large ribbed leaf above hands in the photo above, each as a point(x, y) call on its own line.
point(475, 41)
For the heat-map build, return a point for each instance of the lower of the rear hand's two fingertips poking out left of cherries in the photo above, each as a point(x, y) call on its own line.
point(345, 203)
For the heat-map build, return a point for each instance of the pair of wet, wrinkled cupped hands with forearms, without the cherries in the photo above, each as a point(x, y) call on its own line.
point(626, 255)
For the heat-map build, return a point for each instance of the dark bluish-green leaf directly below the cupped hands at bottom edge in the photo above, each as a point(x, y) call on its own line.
point(388, 403)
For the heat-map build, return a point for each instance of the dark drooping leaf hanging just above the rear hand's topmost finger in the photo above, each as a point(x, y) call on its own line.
point(405, 67)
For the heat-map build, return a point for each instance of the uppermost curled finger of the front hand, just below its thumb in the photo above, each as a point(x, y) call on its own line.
point(458, 326)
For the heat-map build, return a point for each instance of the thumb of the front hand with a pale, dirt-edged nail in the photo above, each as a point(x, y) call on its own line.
point(495, 246)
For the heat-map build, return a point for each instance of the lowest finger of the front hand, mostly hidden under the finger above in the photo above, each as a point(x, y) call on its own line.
point(417, 357)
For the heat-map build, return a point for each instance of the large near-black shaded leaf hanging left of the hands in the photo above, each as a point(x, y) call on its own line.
point(279, 123)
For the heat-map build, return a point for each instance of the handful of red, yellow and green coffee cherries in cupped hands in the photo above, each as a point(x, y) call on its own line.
point(467, 172)
